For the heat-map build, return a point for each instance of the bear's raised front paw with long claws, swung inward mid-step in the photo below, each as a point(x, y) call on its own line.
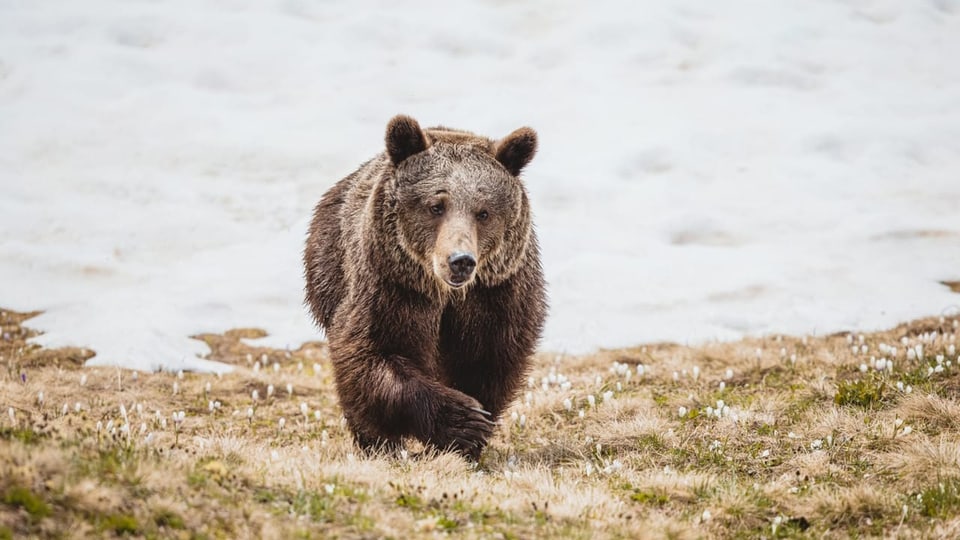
point(463, 426)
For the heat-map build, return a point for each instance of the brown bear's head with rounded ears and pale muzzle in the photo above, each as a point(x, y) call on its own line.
point(461, 210)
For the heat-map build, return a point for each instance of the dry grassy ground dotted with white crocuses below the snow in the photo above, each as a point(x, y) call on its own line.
point(779, 437)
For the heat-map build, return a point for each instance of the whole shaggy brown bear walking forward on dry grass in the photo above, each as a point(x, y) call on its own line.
point(423, 269)
